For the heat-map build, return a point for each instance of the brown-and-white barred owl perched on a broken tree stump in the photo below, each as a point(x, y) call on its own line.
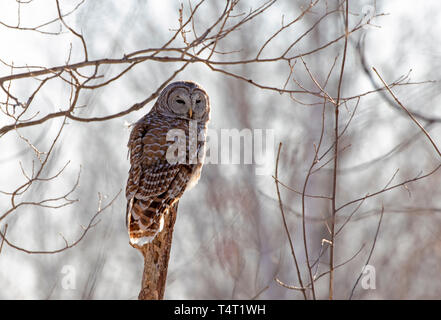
point(167, 150)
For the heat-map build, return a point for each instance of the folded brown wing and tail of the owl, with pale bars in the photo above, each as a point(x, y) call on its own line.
point(154, 184)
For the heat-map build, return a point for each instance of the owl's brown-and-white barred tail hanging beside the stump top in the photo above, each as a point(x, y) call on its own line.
point(145, 218)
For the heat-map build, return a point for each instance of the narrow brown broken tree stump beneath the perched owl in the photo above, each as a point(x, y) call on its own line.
point(156, 256)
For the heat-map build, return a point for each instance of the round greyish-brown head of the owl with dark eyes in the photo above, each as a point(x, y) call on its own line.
point(185, 100)
